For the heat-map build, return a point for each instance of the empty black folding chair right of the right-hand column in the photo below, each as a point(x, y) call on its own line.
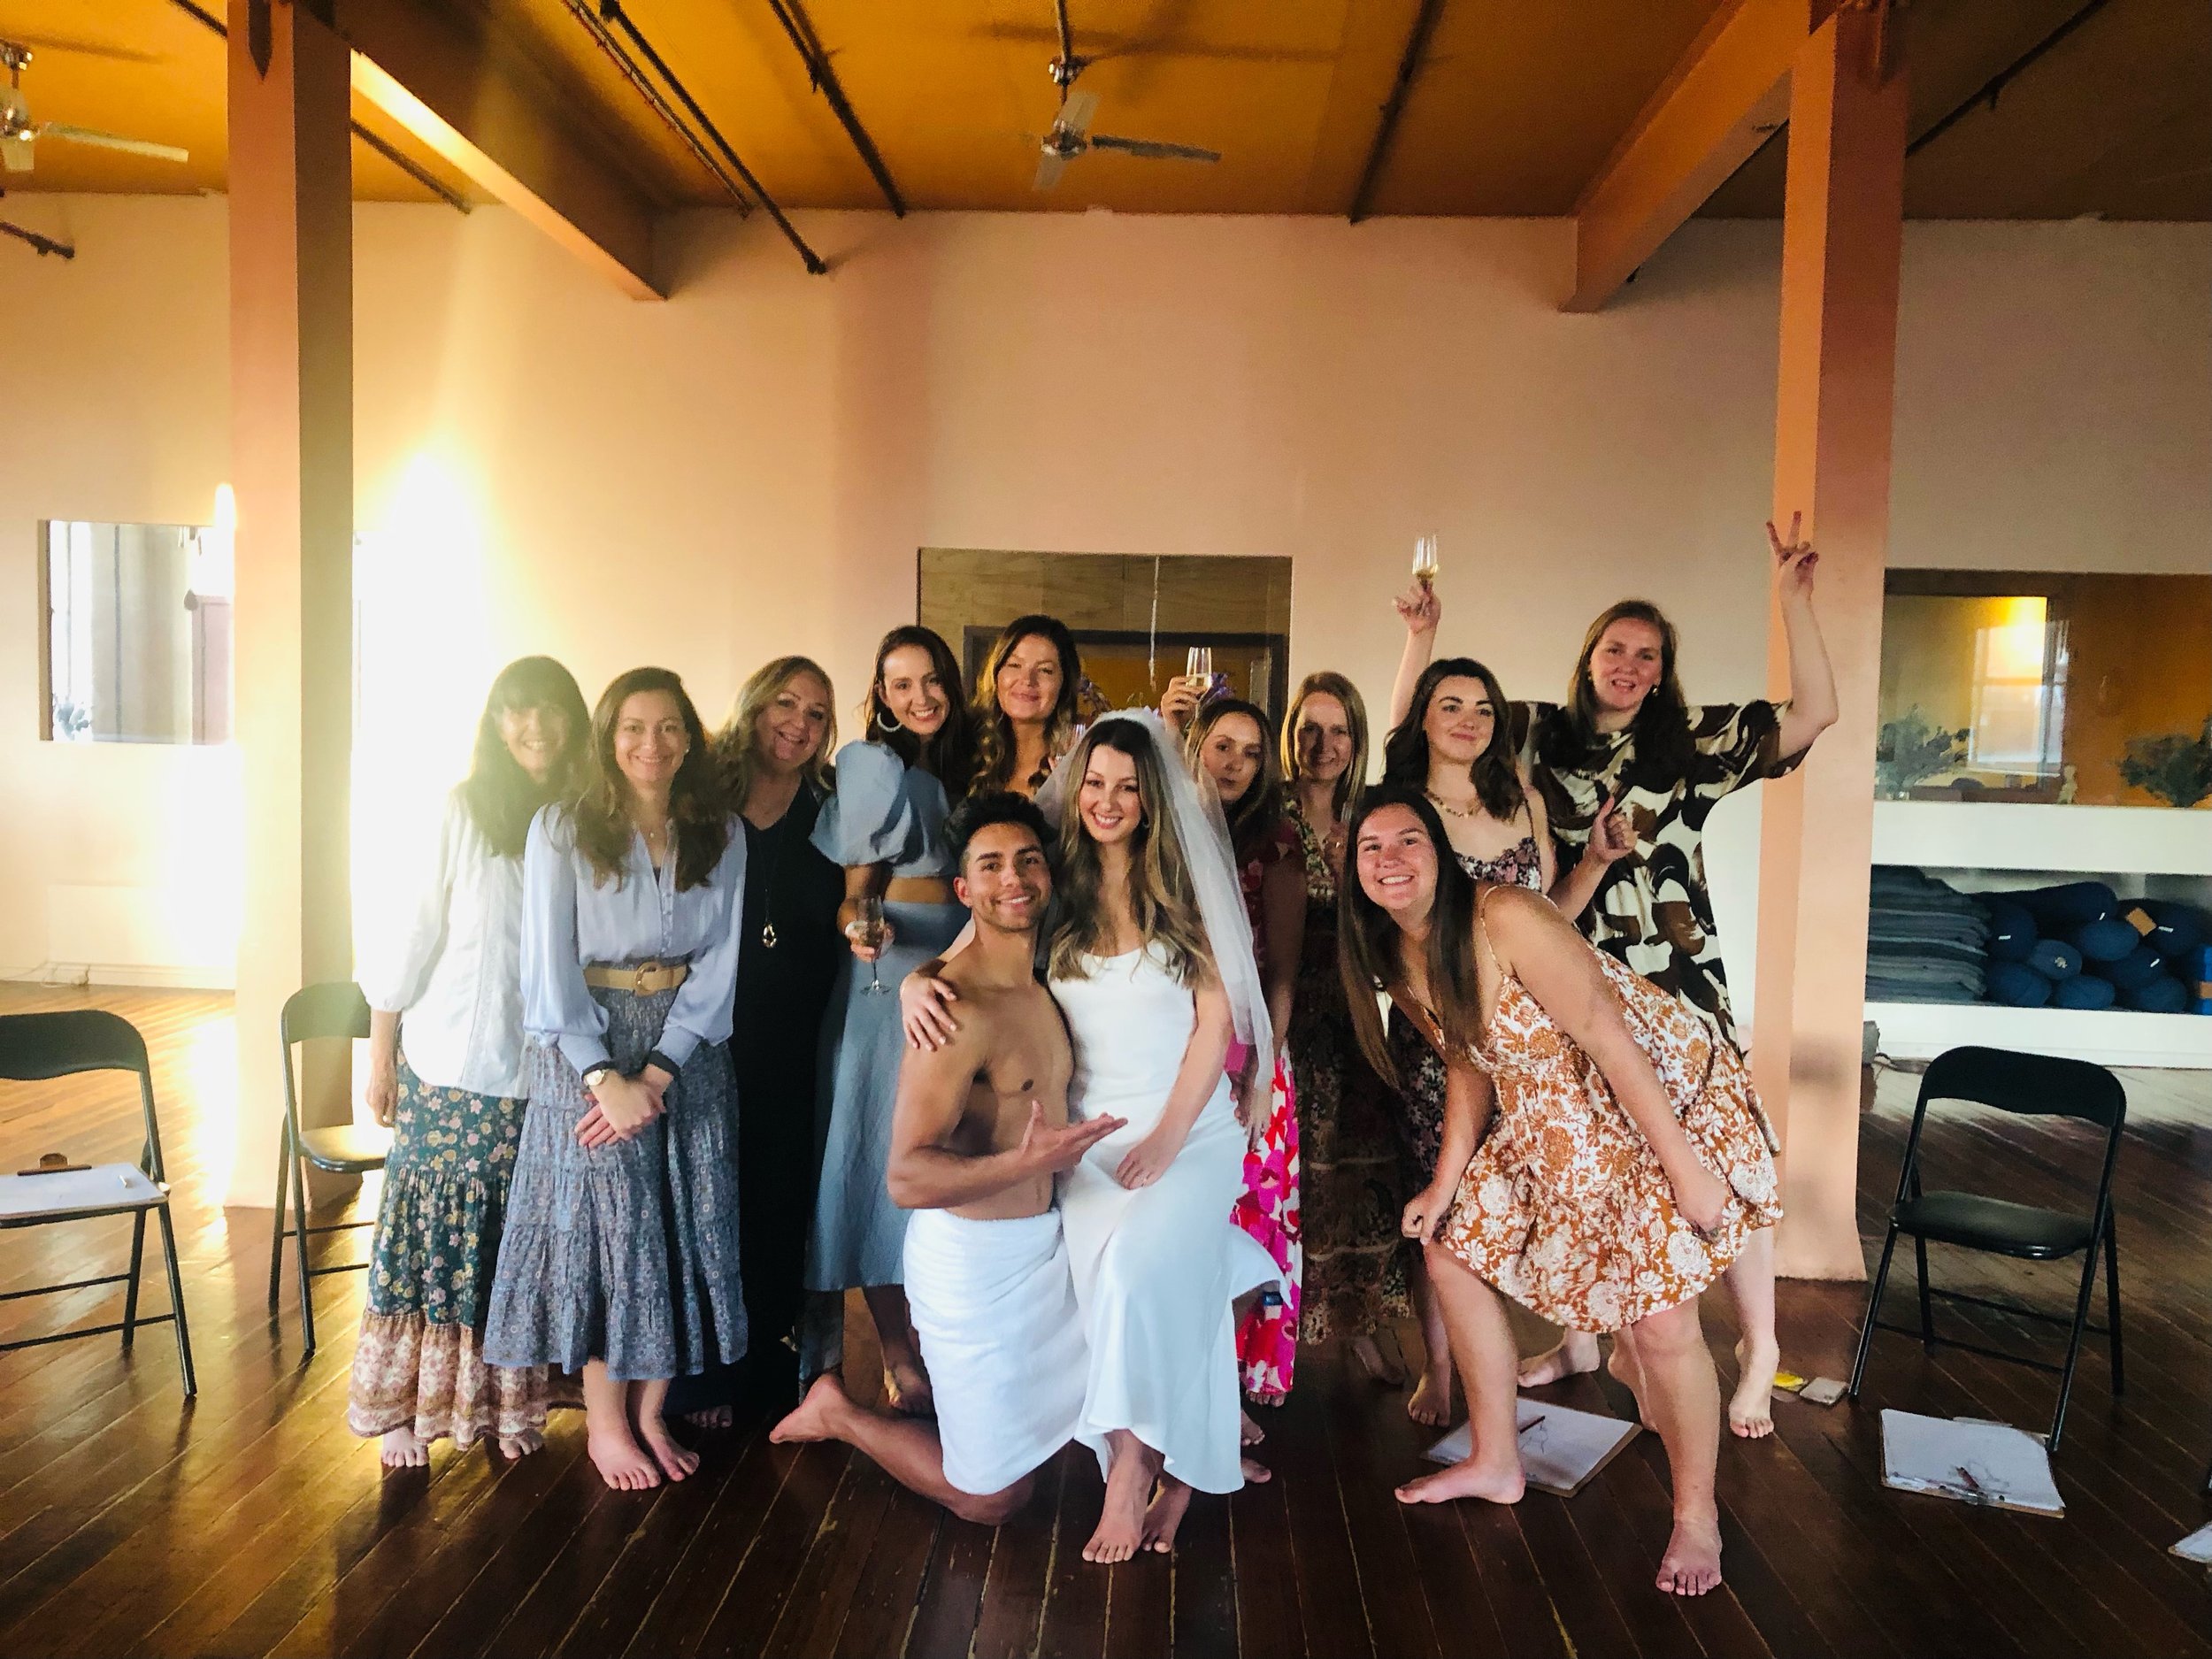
point(2032, 1087)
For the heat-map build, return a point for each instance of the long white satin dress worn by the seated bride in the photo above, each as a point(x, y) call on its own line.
point(1156, 1269)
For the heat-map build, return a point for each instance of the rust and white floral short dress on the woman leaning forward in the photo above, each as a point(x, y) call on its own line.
point(1565, 1207)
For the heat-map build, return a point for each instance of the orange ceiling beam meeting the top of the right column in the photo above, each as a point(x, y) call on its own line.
point(1713, 112)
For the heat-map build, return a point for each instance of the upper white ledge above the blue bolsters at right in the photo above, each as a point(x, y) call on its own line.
point(2034, 837)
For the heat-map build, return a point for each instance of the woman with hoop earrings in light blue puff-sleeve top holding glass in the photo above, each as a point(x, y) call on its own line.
point(886, 826)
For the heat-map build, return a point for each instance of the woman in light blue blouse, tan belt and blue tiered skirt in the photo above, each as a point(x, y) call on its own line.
point(620, 1255)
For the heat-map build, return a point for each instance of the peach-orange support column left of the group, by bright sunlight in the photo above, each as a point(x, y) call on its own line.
point(293, 472)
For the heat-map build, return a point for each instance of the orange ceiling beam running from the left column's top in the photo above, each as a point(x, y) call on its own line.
point(501, 127)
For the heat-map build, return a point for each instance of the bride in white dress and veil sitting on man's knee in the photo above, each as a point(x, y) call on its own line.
point(1154, 968)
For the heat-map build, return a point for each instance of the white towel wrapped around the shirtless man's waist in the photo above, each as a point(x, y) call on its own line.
point(994, 1308)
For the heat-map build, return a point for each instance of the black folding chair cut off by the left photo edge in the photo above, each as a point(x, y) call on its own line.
point(39, 1047)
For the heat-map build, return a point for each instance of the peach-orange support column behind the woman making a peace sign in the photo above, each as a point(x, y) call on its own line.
point(1844, 229)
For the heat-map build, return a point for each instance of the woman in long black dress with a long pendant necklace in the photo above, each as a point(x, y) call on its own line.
point(775, 760)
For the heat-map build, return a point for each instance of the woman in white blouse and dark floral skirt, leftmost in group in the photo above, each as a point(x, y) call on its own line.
point(446, 1078)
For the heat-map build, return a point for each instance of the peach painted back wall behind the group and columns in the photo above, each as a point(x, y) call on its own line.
point(753, 466)
